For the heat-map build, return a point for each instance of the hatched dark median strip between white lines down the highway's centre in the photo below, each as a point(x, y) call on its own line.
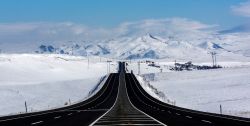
point(123, 112)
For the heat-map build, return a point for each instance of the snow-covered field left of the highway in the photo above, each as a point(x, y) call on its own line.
point(47, 81)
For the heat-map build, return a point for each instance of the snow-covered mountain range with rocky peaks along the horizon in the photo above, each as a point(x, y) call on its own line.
point(156, 47)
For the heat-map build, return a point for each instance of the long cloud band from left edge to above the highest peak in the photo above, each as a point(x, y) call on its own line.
point(68, 31)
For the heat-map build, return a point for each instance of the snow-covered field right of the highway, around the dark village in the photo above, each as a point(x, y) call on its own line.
point(204, 90)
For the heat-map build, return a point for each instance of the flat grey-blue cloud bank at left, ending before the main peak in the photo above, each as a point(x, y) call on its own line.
point(47, 31)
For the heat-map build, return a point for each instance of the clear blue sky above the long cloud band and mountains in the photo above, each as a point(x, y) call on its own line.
point(109, 13)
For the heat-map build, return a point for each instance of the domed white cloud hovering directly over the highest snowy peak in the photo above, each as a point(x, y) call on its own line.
point(178, 27)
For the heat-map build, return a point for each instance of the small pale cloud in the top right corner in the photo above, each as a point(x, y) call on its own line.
point(243, 9)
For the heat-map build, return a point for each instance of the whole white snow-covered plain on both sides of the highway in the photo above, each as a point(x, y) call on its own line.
point(47, 81)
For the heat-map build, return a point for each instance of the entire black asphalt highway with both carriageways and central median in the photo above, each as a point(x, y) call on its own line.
point(122, 101)
